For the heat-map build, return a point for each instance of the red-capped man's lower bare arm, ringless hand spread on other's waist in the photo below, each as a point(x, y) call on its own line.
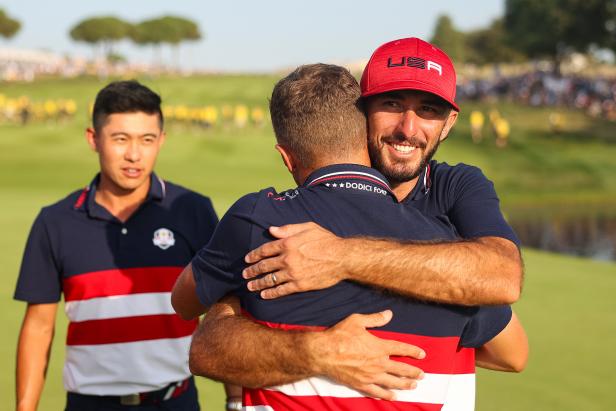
point(228, 347)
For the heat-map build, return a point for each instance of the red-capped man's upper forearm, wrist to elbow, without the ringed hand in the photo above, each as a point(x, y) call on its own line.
point(472, 272)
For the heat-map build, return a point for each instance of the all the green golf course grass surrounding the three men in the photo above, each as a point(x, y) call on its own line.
point(567, 307)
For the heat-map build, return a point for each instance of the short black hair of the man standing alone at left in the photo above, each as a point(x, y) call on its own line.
point(125, 97)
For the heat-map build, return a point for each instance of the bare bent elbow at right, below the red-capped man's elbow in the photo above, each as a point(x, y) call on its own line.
point(508, 351)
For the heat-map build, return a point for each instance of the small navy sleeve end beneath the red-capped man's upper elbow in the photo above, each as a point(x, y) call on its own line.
point(485, 324)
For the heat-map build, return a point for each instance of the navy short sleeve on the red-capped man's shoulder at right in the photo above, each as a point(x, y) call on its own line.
point(475, 210)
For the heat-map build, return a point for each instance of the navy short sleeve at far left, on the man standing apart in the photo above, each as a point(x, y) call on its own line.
point(39, 277)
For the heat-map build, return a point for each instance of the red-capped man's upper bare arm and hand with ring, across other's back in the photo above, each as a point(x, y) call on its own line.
point(486, 270)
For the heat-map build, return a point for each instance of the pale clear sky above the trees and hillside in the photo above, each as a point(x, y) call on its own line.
point(252, 36)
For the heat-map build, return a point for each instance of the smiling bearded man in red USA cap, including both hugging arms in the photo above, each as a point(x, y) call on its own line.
point(408, 89)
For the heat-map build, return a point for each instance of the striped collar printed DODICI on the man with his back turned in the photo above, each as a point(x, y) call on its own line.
point(350, 177)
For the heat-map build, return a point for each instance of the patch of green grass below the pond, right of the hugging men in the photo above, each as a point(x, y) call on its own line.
point(569, 312)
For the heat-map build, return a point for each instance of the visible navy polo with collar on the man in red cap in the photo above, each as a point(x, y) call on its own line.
point(462, 194)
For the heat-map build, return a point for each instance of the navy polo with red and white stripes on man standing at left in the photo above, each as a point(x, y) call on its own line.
point(116, 278)
